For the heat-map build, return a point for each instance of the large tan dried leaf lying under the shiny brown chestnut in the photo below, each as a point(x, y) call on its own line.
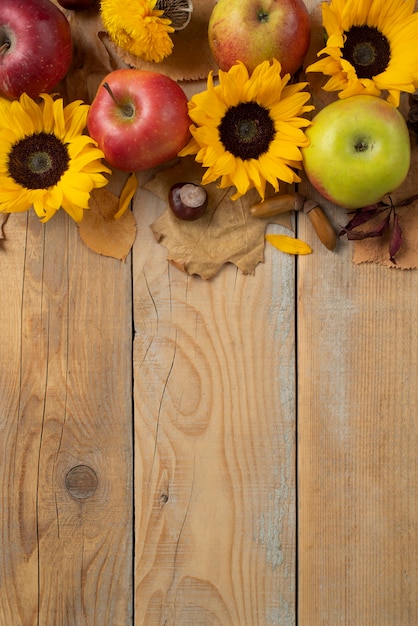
point(227, 233)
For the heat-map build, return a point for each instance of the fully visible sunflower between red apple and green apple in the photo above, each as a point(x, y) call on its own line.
point(247, 130)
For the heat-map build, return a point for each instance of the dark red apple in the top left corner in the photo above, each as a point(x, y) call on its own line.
point(35, 47)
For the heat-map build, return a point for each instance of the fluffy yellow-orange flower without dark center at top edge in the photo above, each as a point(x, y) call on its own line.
point(138, 27)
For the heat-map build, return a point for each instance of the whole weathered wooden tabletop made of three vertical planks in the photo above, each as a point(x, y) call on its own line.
point(234, 452)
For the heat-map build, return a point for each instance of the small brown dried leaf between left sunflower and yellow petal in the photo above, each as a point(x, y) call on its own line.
point(99, 229)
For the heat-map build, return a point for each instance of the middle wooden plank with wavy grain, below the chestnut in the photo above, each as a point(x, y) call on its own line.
point(214, 440)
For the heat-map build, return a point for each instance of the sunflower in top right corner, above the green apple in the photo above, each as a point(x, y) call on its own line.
point(372, 46)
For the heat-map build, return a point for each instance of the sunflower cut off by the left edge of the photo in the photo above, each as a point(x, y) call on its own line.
point(45, 161)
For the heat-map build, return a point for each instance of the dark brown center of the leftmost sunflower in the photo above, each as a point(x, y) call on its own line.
point(38, 161)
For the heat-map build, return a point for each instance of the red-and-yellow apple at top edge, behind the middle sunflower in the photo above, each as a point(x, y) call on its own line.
point(253, 31)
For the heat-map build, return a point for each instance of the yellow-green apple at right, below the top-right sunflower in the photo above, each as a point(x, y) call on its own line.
point(359, 151)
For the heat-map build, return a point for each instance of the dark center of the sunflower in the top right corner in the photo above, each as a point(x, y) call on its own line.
point(367, 49)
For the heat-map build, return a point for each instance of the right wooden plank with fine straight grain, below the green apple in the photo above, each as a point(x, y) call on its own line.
point(358, 397)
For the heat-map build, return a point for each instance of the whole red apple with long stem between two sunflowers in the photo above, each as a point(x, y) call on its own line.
point(139, 118)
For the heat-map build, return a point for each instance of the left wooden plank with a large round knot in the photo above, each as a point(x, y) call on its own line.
point(65, 419)
